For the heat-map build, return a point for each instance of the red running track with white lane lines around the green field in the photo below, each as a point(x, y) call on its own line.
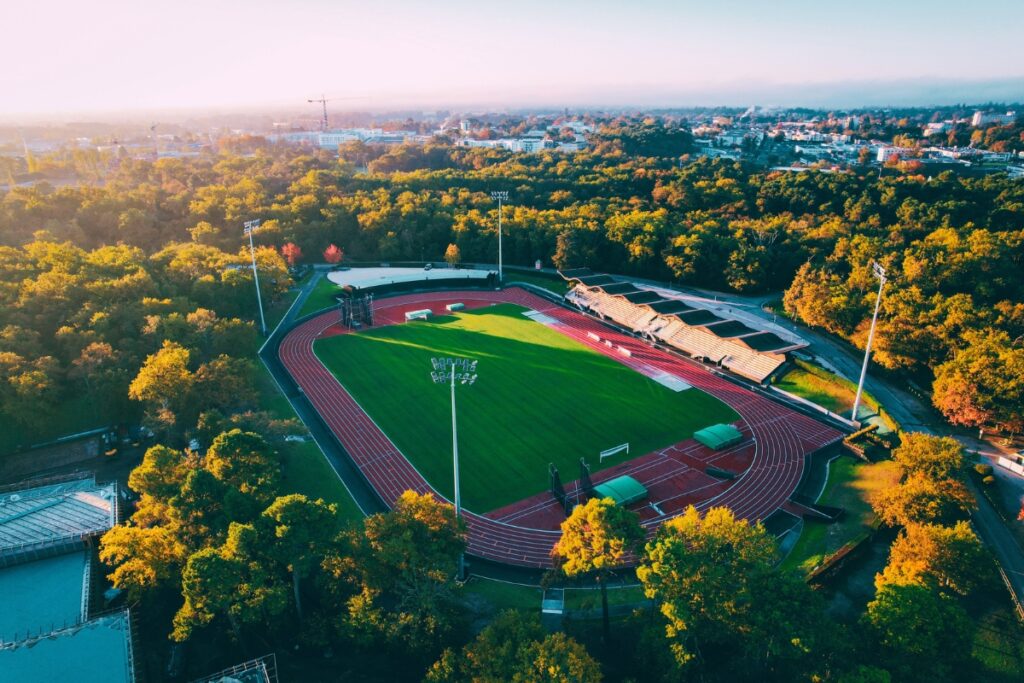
point(776, 457)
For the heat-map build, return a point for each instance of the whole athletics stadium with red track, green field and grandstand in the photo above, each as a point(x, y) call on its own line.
point(615, 390)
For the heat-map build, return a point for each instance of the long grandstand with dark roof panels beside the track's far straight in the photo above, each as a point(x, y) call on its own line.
point(681, 324)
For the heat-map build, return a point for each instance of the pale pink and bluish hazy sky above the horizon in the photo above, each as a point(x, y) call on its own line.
point(64, 56)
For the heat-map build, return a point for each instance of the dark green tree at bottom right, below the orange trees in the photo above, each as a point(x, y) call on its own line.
point(924, 636)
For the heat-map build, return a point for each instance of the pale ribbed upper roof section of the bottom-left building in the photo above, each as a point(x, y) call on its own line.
point(46, 516)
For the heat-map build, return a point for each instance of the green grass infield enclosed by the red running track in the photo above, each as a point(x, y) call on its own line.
point(540, 398)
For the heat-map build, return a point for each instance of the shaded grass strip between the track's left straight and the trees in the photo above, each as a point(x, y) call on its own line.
point(306, 469)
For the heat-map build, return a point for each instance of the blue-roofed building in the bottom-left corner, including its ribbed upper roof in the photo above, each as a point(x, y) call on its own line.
point(52, 626)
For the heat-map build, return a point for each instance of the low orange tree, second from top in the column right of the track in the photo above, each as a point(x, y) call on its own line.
point(920, 500)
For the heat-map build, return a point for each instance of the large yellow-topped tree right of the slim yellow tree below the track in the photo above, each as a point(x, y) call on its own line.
point(702, 573)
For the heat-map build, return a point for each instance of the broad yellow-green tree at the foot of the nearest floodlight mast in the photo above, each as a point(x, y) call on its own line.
point(402, 569)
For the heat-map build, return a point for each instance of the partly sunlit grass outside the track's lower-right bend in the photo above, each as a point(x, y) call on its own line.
point(850, 486)
